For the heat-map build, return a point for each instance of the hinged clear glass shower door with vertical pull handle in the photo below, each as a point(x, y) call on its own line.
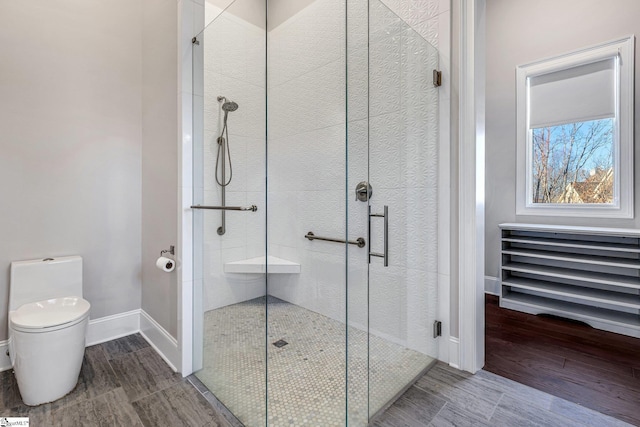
point(403, 222)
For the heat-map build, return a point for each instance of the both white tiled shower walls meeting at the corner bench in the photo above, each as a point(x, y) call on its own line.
point(307, 126)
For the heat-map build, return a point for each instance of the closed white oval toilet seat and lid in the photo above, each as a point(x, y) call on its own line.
point(49, 315)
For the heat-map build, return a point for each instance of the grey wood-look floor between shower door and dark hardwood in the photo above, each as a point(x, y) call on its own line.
point(447, 397)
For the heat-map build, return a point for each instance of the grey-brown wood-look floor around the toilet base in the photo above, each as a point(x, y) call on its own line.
point(122, 383)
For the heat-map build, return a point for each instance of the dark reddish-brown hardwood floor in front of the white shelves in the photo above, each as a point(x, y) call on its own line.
point(596, 369)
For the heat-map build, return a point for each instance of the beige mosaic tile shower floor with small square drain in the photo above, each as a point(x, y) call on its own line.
point(305, 376)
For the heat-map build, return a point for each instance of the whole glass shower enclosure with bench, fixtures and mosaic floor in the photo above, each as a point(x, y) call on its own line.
point(315, 209)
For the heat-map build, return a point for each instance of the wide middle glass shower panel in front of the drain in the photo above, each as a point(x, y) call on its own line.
point(306, 313)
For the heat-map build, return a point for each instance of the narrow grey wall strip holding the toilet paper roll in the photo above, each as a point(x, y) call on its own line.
point(159, 157)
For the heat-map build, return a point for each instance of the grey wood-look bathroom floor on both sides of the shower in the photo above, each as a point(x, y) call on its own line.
point(125, 383)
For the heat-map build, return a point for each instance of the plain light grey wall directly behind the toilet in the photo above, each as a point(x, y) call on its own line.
point(70, 146)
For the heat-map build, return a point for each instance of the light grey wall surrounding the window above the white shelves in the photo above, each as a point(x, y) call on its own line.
point(519, 32)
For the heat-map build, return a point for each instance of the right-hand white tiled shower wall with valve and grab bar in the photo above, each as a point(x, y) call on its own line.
point(307, 160)
